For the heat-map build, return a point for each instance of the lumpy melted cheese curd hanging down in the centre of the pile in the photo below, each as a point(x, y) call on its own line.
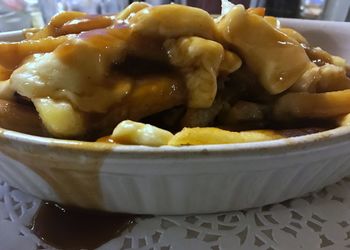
point(200, 61)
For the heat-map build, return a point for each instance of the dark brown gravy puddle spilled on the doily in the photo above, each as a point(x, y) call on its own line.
point(73, 228)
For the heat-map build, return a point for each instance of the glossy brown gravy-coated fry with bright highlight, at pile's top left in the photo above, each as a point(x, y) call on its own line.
point(72, 22)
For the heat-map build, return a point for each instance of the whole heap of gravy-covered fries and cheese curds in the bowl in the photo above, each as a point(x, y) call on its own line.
point(170, 75)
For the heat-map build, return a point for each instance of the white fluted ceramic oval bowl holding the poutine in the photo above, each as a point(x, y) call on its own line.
point(167, 180)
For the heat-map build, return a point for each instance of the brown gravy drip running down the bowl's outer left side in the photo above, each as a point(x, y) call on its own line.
point(73, 176)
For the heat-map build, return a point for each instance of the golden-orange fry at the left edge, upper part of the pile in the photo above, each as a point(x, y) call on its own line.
point(13, 54)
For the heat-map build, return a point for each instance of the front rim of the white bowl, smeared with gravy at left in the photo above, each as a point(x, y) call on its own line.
point(310, 142)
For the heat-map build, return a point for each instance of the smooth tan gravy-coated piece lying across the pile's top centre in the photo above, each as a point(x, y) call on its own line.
point(173, 21)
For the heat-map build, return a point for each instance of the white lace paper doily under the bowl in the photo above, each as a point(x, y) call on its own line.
point(318, 221)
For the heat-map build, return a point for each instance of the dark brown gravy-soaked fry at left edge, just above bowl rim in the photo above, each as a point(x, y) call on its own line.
point(21, 118)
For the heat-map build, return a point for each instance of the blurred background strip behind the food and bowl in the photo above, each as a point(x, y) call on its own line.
point(20, 14)
